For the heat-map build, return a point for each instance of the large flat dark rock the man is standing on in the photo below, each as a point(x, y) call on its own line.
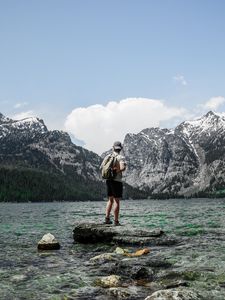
point(95, 233)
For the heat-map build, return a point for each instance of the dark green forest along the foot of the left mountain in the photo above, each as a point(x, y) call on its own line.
point(17, 185)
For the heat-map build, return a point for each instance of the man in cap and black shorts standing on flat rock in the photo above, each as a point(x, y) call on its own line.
point(114, 185)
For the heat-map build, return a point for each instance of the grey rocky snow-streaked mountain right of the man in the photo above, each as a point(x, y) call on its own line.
point(187, 161)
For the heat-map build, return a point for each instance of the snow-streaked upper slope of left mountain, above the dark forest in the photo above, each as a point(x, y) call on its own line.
point(29, 143)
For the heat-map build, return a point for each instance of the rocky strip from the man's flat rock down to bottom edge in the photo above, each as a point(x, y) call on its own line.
point(135, 265)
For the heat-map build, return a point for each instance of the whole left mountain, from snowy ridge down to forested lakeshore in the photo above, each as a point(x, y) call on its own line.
point(38, 164)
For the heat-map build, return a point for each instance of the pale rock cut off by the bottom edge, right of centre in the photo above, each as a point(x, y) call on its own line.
point(175, 294)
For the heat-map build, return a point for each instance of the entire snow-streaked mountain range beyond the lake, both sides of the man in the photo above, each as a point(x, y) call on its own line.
point(39, 165)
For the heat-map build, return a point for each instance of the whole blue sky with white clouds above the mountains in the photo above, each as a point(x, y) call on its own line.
point(99, 69)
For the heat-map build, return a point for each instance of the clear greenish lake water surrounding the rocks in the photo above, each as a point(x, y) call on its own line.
point(26, 273)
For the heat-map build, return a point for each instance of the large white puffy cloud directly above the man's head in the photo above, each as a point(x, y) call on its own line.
point(99, 126)
